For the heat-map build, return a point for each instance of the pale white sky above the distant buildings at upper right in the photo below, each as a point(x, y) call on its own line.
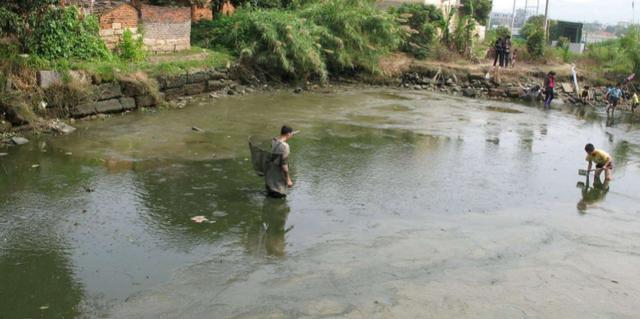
point(605, 11)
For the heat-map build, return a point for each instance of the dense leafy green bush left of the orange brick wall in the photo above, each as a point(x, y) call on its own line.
point(60, 33)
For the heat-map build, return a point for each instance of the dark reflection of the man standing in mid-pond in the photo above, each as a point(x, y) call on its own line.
point(271, 231)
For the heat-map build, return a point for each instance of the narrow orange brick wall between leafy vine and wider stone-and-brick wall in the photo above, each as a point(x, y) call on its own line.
point(113, 23)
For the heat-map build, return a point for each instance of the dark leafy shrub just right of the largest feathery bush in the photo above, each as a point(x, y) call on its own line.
point(422, 20)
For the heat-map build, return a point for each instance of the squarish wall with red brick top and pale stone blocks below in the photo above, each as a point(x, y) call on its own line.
point(166, 29)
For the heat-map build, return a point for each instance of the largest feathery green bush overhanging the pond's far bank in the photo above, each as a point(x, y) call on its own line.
point(325, 37)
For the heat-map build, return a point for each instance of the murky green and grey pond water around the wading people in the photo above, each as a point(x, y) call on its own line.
point(405, 205)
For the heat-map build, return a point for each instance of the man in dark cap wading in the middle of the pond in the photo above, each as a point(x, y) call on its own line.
point(277, 177)
